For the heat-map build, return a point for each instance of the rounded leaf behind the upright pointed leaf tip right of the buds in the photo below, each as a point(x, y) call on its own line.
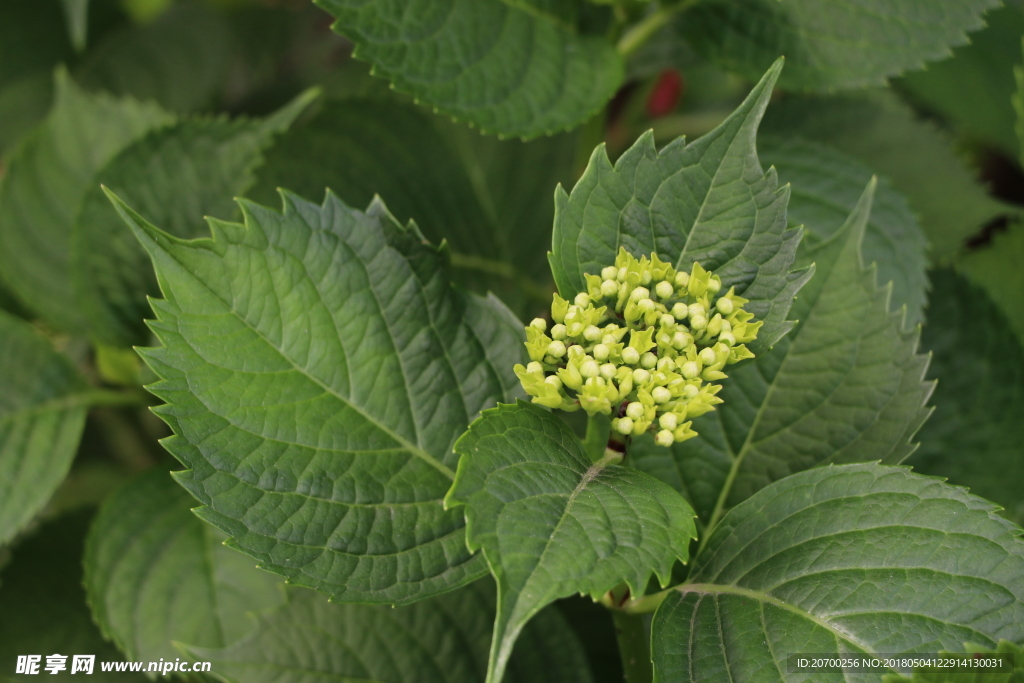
point(827, 185)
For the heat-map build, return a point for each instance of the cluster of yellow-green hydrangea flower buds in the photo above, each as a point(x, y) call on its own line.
point(645, 344)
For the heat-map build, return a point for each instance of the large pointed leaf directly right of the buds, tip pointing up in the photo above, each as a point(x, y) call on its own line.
point(846, 387)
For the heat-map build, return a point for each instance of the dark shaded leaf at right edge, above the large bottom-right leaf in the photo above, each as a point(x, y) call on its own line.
point(975, 437)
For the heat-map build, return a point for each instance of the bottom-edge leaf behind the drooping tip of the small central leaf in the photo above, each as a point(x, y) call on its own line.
point(442, 639)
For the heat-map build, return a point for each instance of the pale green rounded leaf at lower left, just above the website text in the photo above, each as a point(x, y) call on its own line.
point(155, 574)
